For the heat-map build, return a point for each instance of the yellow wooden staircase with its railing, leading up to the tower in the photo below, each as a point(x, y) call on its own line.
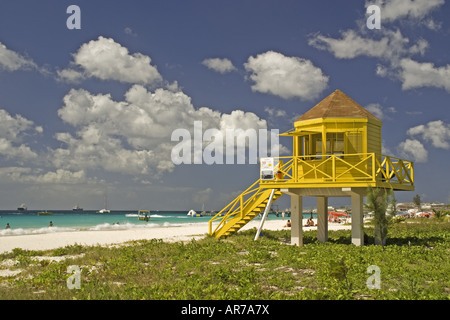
point(241, 210)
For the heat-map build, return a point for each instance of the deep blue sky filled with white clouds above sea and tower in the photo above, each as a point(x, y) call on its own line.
point(91, 110)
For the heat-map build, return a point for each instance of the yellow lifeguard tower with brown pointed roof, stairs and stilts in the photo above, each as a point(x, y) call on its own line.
point(336, 153)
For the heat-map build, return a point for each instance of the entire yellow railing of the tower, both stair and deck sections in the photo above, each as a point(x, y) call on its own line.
point(335, 170)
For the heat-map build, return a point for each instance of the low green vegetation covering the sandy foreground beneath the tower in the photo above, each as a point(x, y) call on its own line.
point(414, 264)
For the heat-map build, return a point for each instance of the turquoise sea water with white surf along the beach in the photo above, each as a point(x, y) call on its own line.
point(29, 222)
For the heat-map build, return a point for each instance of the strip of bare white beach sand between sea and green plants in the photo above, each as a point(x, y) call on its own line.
point(55, 240)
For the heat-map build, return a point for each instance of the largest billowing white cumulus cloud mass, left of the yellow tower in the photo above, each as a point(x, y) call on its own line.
point(133, 136)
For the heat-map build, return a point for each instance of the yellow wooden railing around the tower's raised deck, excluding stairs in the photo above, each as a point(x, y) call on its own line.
point(346, 168)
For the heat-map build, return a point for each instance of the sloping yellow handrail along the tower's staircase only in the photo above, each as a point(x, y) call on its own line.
point(236, 206)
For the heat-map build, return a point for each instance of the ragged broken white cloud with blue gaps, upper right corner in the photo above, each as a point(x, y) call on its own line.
point(389, 46)
